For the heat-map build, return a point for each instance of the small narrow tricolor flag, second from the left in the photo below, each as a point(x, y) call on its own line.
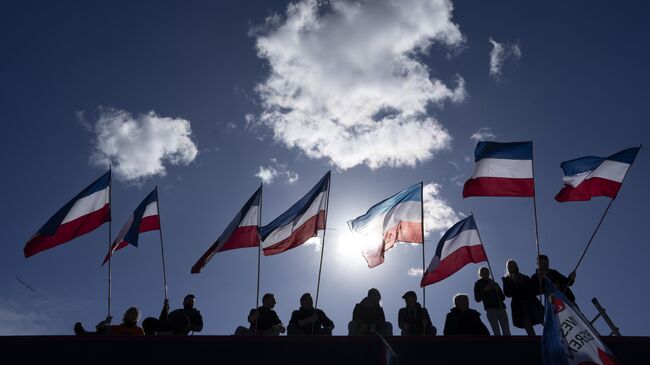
point(145, 218)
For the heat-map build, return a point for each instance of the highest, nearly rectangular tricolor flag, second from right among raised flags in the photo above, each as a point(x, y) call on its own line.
point(502, 169)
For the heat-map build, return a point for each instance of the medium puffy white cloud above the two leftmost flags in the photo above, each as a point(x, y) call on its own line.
point(138, 147)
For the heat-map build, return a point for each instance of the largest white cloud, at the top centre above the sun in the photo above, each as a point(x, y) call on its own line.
point(346, 84)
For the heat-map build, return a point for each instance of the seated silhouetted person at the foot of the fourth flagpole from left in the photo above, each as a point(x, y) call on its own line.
point(308, 320)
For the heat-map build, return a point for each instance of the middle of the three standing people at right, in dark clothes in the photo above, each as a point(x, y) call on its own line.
point(526, 309)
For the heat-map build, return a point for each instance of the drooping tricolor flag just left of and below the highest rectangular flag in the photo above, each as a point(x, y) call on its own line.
point(460, 246)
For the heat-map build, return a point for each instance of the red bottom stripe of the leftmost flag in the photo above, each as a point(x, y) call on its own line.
point(68, 231)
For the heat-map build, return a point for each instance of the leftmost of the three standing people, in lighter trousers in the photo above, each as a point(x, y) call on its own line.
point(489, 292)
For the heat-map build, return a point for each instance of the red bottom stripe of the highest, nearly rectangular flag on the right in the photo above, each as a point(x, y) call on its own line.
point(499, 186)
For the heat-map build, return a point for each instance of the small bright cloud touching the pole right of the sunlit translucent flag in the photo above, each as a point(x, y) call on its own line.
point(438, 215)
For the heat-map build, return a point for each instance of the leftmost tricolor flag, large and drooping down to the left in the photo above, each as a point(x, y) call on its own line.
point(83, 214)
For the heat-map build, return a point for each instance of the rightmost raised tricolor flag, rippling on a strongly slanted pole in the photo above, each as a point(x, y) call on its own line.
point(590, 176)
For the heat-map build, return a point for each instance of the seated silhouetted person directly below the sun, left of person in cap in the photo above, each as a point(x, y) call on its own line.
point(368, 317)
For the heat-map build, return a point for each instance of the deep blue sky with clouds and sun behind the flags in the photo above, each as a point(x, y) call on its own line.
point(220, 94)
